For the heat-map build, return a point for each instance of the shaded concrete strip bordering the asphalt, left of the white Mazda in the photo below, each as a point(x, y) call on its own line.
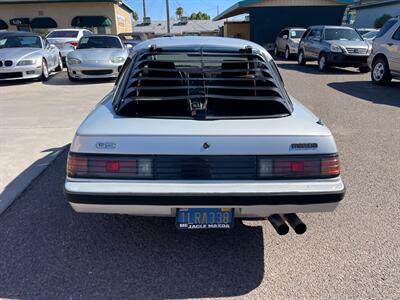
point(16, 187)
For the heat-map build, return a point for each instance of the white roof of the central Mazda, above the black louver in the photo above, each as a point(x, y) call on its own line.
point(199, 41)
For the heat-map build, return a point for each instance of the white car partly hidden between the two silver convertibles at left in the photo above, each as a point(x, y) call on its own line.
point(67, 39)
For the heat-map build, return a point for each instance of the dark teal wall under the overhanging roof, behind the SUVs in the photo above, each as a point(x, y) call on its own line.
point(266, 22)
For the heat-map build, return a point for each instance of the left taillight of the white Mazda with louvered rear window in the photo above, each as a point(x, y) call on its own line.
point(115, 167)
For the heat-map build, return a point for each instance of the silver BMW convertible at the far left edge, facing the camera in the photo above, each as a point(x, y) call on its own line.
point(25, 55)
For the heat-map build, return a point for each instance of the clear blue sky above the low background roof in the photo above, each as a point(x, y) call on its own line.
point(156, 8)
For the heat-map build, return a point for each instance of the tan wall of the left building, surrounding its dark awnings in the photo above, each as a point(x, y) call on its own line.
point(63, 13)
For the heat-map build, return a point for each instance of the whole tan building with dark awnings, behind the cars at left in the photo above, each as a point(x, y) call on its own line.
point(41, 16)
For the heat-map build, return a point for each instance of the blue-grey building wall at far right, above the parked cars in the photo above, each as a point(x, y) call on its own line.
point(365, 18)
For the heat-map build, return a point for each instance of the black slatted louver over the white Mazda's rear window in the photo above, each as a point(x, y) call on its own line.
point(202, 84)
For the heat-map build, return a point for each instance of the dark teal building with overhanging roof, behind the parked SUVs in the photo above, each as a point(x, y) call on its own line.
point(267, 17)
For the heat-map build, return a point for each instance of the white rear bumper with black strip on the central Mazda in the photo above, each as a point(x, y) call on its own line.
point(250, 199)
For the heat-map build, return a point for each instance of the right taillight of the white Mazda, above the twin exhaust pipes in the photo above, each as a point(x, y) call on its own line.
point(298, 167)
